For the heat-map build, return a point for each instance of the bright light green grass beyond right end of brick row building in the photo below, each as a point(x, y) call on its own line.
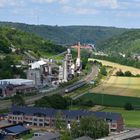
point(131, 118)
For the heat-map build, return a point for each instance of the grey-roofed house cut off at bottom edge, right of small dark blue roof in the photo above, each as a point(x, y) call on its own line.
point(46, 136)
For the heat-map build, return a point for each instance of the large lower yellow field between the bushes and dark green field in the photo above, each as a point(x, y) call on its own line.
point(125, 86)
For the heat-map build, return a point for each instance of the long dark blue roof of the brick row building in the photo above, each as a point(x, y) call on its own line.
point(67, 113)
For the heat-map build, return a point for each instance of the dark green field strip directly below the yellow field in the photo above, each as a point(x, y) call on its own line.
point(112, 100)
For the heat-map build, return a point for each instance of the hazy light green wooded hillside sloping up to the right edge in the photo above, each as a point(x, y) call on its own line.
point(126, 43)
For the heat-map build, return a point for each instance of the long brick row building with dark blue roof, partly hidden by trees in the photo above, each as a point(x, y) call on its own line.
point(45, 117)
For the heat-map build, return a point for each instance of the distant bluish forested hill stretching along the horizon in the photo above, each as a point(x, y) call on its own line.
point(67, 35)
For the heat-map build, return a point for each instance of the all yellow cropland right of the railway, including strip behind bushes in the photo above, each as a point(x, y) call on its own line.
point(115, 85)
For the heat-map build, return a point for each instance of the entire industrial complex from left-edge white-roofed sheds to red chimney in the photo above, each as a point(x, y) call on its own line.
point(44, 73)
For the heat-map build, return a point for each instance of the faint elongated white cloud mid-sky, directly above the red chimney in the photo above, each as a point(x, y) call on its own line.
point(78, 10)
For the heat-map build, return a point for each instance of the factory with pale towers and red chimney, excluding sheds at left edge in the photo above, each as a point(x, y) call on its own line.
point(41, 72)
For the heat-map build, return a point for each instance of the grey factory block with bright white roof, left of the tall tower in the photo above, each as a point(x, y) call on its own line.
point(41, 73)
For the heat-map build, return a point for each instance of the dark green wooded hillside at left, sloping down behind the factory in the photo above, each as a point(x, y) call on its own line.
point(27, 41)
